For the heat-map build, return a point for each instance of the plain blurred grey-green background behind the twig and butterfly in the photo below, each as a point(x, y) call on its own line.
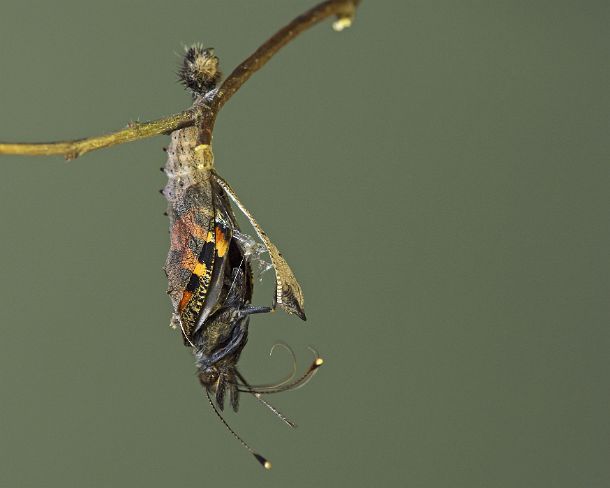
point(437, 176)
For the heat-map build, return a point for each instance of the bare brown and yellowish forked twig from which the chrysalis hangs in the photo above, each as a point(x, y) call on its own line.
point(200, 114)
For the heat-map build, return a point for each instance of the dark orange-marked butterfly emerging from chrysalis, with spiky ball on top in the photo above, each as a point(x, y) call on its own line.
point(209, 262)
